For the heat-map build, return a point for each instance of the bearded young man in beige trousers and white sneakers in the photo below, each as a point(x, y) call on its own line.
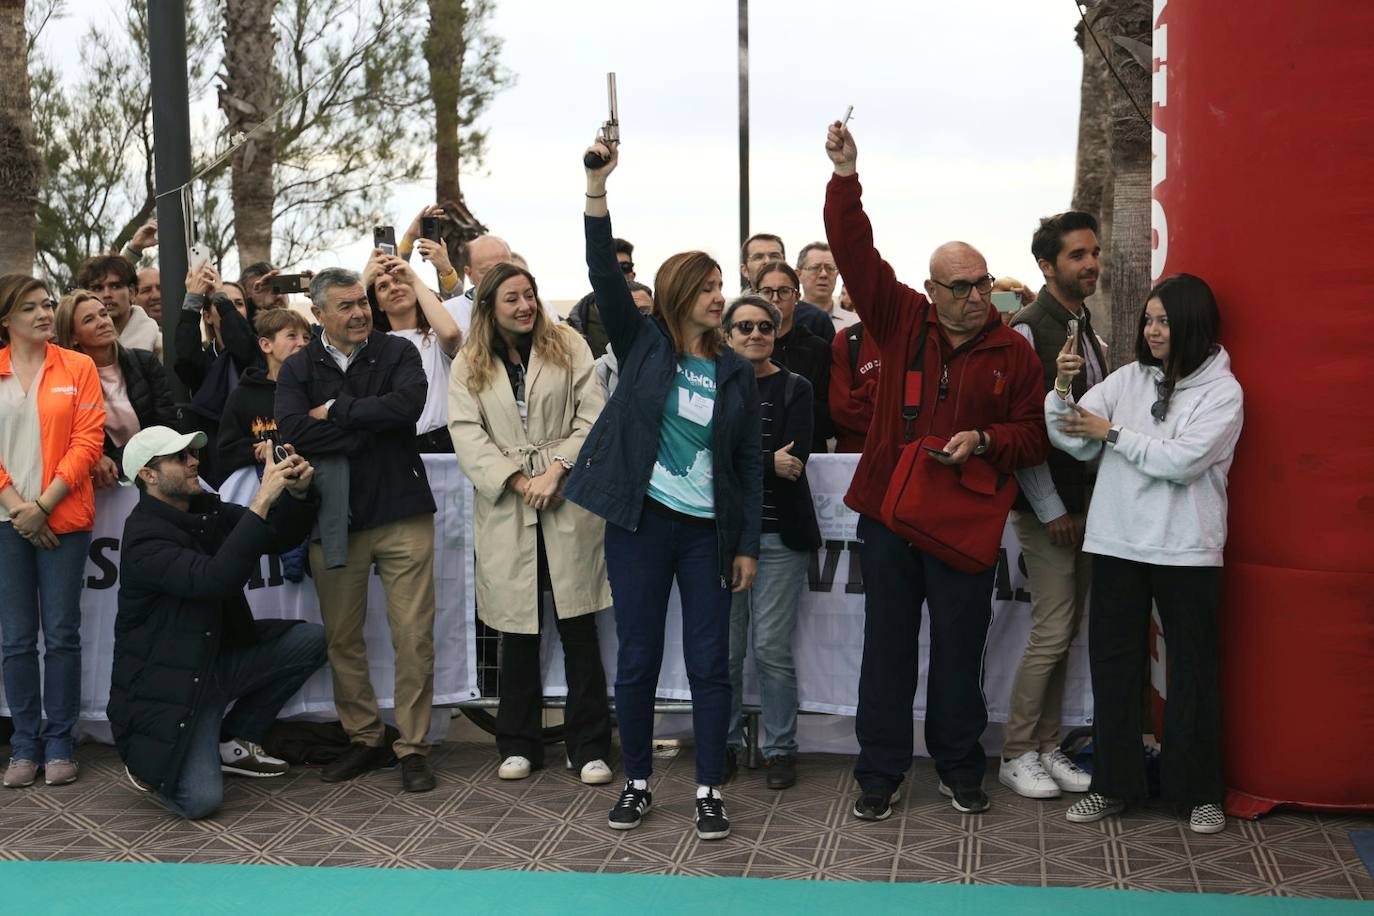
point(1049, 516)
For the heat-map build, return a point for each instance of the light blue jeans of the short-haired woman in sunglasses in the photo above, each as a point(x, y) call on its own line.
point(769, 613)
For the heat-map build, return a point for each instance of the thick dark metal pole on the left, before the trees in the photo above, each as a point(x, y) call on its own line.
point(171, 164)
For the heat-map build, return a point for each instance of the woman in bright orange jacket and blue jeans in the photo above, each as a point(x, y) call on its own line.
point(52, 431)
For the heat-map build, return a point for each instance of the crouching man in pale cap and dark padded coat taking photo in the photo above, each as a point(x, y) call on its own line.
point(186, 645)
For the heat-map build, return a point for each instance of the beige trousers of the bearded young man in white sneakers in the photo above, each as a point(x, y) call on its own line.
point(1060, 579)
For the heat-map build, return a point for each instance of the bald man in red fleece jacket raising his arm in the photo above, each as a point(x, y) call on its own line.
point(983, 389)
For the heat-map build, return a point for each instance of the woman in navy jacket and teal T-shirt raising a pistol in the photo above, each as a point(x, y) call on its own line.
point(674, 468)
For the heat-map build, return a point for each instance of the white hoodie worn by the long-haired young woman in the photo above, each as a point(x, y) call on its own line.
point(1160, 495)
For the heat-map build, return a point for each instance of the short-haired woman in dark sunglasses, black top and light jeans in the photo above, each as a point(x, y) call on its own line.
point(767, 613)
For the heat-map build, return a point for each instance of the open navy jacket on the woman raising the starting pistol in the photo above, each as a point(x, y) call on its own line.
point(615, 465)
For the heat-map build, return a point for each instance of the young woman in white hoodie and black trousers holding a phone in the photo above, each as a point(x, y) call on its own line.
point(1166, 429)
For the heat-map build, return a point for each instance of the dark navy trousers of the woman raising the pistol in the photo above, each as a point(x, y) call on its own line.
point(642, 566)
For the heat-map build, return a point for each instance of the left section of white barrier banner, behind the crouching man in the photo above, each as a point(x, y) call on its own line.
point(273, 597)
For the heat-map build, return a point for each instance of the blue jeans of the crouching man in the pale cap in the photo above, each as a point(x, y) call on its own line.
point(262, 679)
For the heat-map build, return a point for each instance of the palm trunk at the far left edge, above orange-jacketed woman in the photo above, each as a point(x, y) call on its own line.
point(20, 163)
